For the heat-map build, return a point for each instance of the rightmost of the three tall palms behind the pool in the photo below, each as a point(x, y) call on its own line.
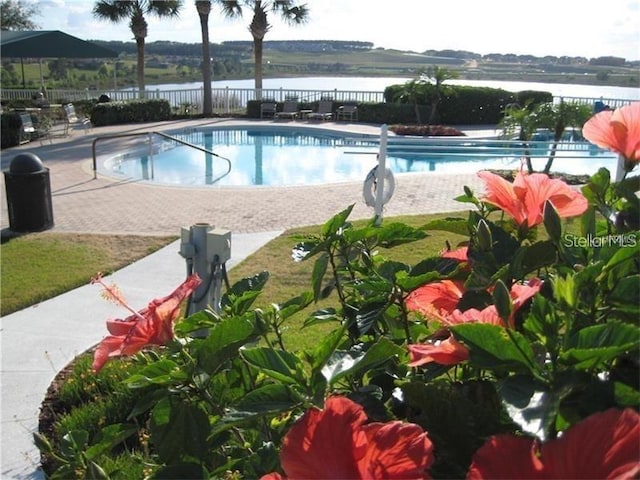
point(291, 13)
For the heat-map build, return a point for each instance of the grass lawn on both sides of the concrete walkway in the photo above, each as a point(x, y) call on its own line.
point(38, 266)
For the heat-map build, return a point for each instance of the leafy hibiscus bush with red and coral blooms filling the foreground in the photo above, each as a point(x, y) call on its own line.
point(511, 355)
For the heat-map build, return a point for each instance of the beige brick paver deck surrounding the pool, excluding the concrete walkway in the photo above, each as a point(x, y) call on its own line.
point(105, 205)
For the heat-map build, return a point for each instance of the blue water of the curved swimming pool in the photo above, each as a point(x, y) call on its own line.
point(283, 156)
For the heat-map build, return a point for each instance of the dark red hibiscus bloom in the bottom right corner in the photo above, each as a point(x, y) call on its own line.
point(605, 445)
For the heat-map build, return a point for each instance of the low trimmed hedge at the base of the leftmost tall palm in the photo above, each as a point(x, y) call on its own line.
point(113, 113)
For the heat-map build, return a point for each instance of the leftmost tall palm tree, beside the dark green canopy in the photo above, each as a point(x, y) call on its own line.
point(135, 10)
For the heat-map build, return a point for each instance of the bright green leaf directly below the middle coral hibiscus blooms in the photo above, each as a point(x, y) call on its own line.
point(493, 347)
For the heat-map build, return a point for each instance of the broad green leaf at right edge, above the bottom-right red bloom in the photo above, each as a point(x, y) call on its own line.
point(594, 346)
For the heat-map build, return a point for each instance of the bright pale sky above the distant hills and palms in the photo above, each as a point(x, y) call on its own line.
point(525, 27)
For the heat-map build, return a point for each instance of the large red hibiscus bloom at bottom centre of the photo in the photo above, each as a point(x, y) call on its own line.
point(338, 443)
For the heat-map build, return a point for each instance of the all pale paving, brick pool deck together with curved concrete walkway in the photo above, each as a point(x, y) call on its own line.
point(39, 341)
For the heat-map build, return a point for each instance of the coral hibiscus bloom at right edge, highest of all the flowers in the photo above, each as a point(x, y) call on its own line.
point(617, 130)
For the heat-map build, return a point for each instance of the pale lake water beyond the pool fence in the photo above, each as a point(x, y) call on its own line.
point(378, 84)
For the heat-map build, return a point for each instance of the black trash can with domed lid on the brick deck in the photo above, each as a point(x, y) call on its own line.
point(28, 194)
